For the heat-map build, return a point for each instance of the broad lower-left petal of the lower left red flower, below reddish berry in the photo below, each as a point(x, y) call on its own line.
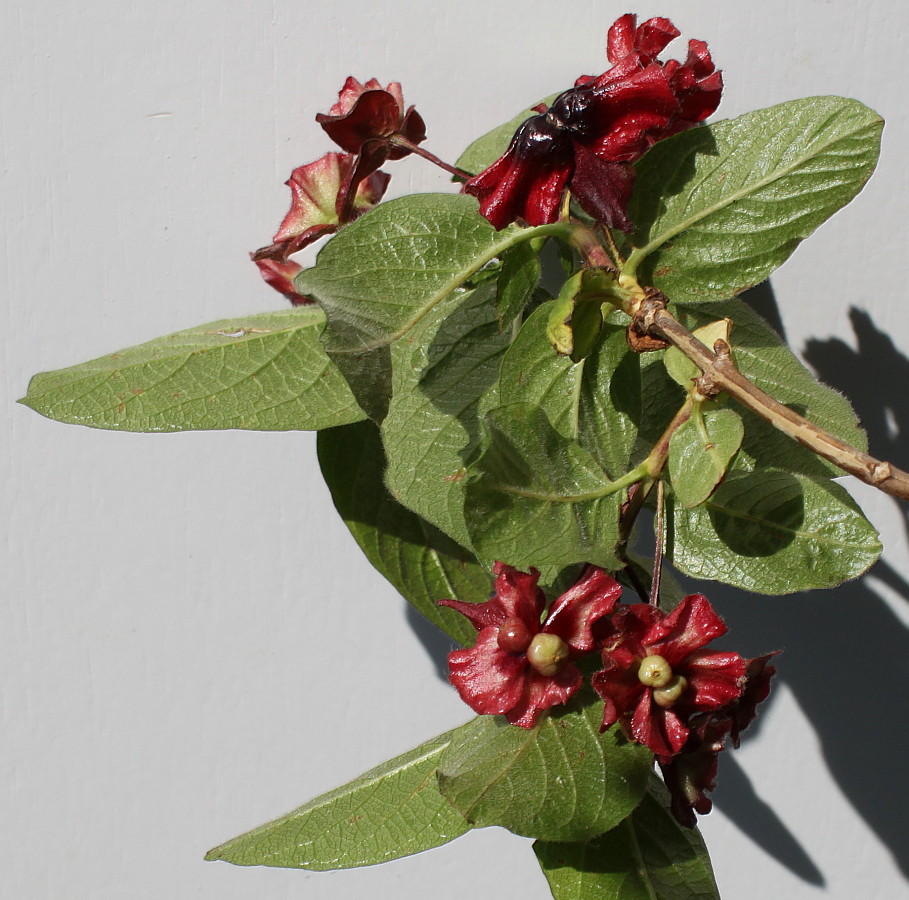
point(489, 680)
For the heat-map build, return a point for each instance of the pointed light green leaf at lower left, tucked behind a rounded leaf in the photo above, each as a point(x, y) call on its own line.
point(391, 811)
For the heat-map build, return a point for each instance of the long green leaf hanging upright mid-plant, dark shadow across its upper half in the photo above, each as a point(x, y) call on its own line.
point(433, 424)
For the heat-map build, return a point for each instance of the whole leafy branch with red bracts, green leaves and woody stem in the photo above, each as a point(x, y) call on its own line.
point(503, 378)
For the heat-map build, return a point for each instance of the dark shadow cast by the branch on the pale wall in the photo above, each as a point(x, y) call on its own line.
point(836, 642)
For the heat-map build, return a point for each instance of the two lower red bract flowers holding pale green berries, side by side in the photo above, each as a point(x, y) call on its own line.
point(657, 681)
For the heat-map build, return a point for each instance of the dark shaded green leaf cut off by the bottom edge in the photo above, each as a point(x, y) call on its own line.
point(649, 856)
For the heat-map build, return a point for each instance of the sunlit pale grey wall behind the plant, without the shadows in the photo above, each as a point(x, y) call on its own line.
point(191, 642)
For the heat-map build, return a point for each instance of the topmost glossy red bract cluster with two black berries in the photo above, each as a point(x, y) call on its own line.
point(587, 140)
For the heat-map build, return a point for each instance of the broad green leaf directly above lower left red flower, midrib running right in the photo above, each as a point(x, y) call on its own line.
point(537, 499)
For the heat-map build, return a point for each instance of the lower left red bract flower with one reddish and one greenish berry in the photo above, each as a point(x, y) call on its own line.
point(519, 667)
